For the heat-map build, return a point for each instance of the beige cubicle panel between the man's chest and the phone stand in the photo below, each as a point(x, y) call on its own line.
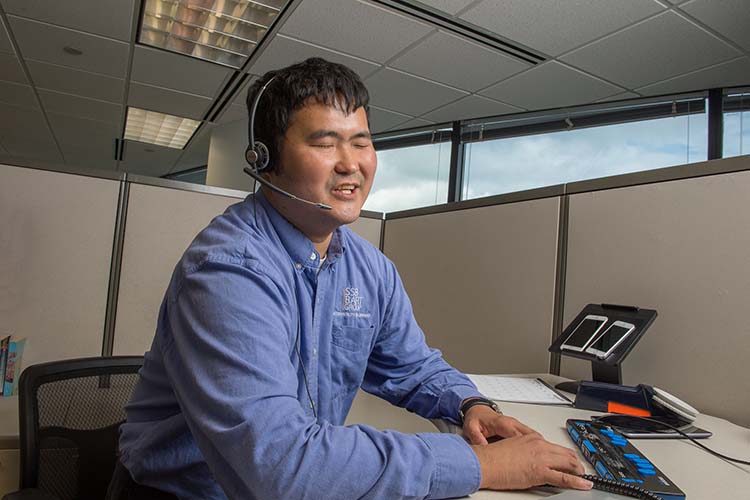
point(482, 282)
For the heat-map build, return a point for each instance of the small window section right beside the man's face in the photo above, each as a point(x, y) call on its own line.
point(410, 177)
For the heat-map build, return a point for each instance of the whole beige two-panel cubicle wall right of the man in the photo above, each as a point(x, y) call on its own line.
point(482, 280)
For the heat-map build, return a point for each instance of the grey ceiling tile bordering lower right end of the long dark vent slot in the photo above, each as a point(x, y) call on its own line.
point(471, 66)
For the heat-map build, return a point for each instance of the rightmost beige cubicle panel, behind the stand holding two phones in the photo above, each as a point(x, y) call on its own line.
point(681, 247)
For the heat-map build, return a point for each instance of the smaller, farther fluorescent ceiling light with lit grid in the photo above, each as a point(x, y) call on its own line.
point(157, 128)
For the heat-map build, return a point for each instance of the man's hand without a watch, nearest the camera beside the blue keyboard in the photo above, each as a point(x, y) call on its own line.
point(525, 461)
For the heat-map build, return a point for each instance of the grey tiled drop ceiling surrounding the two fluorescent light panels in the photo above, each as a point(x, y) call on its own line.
point(58, 108)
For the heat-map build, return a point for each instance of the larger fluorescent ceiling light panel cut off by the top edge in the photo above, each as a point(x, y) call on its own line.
point(221, 31)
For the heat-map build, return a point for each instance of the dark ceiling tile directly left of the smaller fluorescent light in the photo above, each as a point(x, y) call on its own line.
point(82, 138)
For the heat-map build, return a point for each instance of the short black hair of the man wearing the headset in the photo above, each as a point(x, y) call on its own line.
point(314, 79)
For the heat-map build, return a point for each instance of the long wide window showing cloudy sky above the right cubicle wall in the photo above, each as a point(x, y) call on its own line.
point(584, 147)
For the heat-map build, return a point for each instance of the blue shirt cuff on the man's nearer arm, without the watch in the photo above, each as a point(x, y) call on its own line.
point(457, 472)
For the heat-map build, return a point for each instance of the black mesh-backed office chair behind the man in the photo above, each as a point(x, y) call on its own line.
point(70, 413)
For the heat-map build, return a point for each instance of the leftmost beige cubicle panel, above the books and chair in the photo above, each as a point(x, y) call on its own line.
point(55, 255)
